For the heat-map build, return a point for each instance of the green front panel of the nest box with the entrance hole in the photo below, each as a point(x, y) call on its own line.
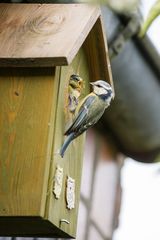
point(57, 211)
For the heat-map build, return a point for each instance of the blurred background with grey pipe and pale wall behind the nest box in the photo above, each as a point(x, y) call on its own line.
point(120, 191)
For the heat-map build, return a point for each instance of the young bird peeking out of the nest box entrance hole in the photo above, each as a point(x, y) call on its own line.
point(74, 91)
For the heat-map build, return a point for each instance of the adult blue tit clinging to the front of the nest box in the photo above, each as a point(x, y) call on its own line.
point(89, 111)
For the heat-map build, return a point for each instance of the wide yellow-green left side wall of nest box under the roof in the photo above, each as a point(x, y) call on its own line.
point(27, 98)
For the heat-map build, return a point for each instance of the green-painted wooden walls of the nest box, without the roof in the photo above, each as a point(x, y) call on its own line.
point(33, 118)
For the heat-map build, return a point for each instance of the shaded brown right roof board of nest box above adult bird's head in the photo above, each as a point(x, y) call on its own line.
point(97, 54)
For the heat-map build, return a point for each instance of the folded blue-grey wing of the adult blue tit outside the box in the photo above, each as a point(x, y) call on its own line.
point(82, 114)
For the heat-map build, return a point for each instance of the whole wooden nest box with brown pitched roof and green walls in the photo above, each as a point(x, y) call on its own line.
point(41, 46)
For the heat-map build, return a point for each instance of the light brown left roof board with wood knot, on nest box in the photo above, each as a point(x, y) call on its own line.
point(43, 34)
